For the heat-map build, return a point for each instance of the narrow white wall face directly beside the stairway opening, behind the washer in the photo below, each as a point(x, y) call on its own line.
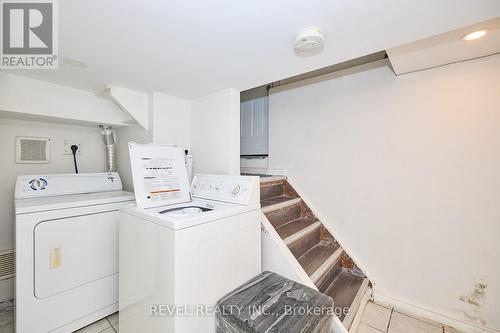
point(215, 133)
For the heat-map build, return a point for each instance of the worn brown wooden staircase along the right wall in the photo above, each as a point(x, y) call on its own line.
point(331, 270)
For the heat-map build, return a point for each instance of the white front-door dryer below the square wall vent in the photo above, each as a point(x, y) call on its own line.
point(66, 250)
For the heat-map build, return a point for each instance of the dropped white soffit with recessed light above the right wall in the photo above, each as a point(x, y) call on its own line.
point(446, 48)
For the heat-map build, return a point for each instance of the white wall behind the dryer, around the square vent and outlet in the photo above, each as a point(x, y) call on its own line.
point(91, 160)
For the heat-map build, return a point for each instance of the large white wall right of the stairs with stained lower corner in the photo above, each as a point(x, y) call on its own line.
point(406, 172)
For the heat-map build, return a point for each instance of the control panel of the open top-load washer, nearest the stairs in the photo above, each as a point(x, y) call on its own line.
point(243, 190)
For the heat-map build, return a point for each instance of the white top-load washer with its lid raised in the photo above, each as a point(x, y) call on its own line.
point(181, 250)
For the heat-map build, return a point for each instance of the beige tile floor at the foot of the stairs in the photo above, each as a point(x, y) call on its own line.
point(379, 319)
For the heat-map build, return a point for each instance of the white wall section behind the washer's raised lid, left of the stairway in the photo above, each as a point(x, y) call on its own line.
point(208, 126)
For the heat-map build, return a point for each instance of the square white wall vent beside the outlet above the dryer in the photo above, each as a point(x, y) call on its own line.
point(32, 150)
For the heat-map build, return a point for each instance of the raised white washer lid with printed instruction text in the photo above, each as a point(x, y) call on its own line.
point(159, 173)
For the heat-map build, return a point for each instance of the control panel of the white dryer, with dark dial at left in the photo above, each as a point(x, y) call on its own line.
point(32, 186)
